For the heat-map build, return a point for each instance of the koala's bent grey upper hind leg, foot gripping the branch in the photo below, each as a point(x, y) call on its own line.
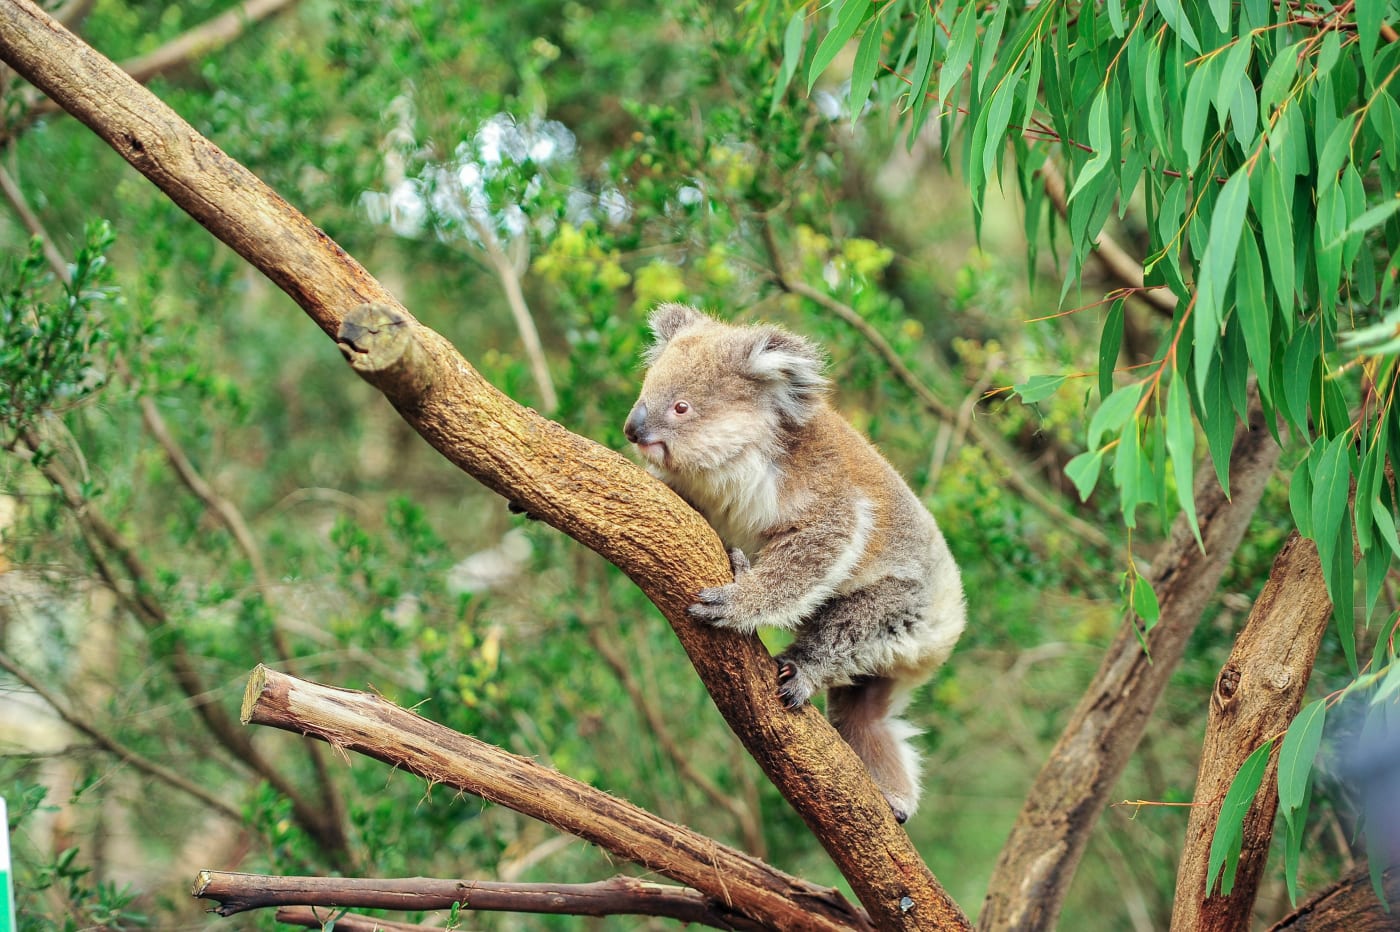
point(862, 635)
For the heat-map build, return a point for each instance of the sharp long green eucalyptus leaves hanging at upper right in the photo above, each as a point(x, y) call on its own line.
point(1261, 148)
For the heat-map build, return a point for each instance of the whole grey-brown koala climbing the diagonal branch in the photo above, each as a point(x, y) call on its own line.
point(737, 422)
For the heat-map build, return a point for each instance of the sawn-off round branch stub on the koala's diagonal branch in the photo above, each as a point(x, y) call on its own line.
point(381, 345)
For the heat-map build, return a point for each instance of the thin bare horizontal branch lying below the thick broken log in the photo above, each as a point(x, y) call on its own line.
point(617, 896)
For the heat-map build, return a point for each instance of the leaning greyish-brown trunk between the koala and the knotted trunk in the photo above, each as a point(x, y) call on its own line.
point(1039, 860)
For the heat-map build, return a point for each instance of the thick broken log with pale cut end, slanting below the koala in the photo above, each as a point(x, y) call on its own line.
point(374, 727)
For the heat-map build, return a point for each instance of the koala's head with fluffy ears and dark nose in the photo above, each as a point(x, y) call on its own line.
point(715, 391)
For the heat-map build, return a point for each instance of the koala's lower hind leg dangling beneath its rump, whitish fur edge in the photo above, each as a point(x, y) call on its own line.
point(864, 716)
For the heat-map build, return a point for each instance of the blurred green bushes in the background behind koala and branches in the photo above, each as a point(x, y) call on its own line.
point(582, 163)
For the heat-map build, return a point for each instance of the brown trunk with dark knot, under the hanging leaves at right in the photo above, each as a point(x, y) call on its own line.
point(1256, 696)
